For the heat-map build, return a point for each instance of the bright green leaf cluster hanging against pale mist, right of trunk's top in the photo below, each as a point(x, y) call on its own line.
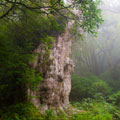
point(90, 15)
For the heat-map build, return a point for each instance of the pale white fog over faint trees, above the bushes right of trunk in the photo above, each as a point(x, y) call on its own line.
point(101, 55)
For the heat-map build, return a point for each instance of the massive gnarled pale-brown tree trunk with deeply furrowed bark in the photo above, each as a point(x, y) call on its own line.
point(55, 89)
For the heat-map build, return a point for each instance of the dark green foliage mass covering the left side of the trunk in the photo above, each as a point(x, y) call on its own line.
point(18, 39)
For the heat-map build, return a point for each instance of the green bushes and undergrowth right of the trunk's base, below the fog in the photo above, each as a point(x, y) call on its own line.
point(95, 97)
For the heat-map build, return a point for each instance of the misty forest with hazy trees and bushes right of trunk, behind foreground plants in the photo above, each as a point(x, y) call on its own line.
point(97, 61)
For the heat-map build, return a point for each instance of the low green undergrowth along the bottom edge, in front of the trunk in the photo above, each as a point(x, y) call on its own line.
point(87, 110)
